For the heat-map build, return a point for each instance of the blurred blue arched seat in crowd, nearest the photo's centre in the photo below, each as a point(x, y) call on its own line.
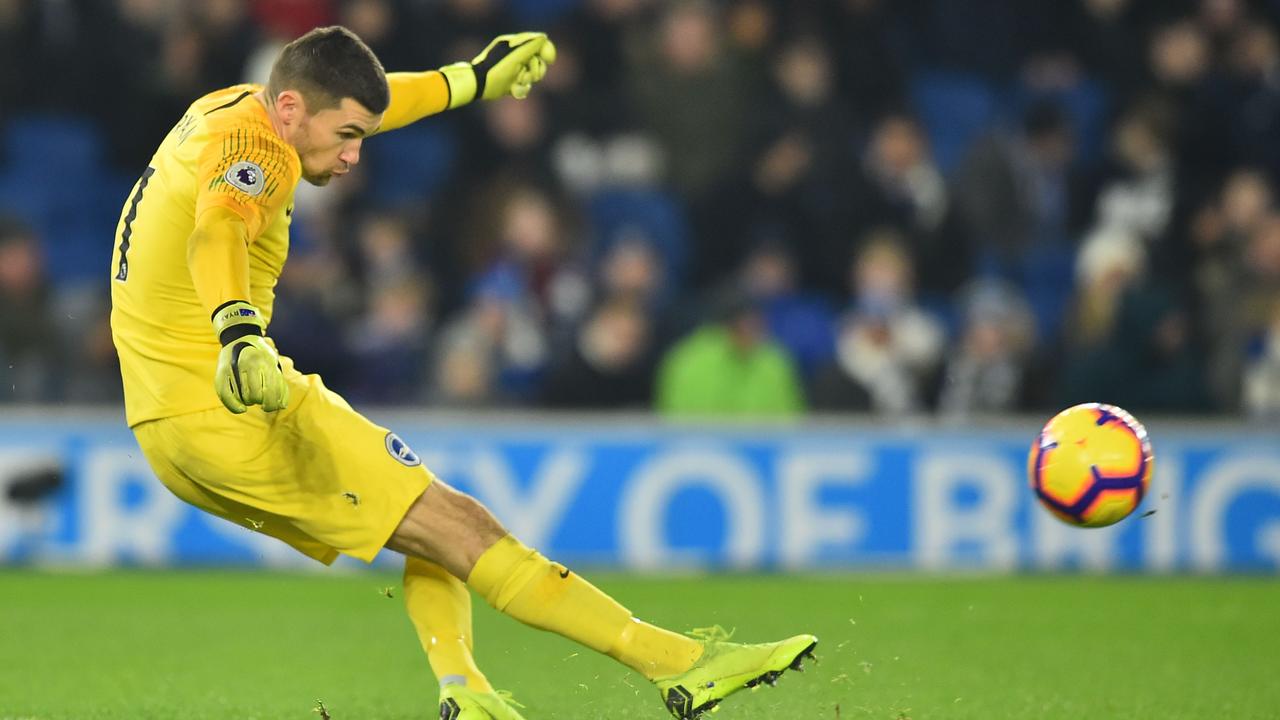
point(655, 215)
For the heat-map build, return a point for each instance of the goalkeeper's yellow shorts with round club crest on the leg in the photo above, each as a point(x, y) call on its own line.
point(317, 475)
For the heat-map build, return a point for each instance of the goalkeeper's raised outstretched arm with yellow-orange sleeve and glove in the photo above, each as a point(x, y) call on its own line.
point(510, 66)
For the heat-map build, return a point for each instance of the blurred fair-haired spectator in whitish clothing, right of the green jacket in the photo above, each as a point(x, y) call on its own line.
point(888, 349)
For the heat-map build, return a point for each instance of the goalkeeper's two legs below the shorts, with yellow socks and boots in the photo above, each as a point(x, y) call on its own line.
point(459, 535)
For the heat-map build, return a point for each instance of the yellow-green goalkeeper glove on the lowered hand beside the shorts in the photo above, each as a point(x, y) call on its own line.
point(249, 368)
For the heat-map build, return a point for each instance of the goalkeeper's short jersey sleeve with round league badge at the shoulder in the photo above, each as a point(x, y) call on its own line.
point(249, 171)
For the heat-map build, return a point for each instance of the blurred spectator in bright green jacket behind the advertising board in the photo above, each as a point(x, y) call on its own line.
point(730, 368)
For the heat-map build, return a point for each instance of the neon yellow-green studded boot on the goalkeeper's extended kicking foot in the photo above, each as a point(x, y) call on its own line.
point(726, 668)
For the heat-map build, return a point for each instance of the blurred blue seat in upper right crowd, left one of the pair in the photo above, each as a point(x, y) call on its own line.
point(956, 110)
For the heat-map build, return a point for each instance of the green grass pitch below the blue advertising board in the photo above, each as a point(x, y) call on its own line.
point(222, 646)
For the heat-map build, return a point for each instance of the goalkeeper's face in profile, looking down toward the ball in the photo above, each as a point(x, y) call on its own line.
point(330, 142)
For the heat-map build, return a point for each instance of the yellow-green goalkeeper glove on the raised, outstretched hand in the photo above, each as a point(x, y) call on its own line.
point(510, 66)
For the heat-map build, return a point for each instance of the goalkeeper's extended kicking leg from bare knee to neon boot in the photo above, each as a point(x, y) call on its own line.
point(461, 535)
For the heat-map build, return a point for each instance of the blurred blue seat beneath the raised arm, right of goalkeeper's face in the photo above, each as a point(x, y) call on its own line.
point(412, 163)
